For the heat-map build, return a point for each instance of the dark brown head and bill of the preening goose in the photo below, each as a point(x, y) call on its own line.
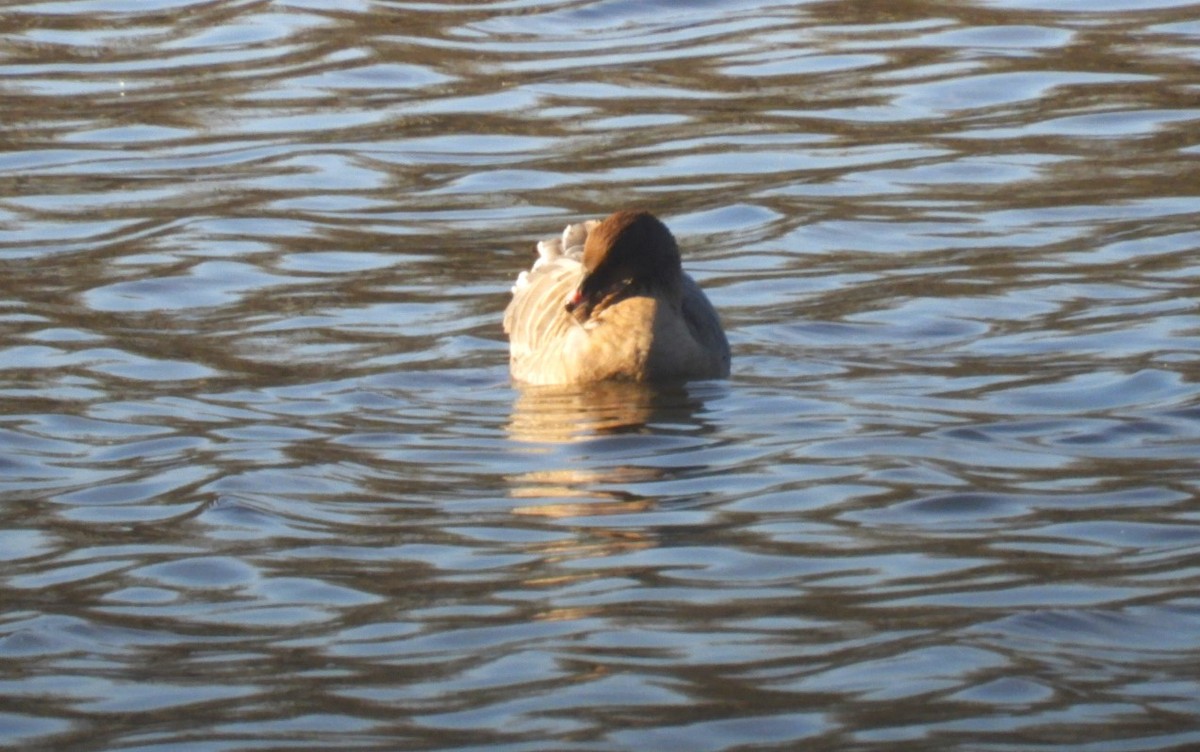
point(629, 254)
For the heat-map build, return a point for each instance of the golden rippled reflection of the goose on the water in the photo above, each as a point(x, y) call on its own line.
point(596, 452)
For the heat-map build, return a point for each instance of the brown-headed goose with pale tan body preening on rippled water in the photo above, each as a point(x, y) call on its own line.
point(609, 302)
